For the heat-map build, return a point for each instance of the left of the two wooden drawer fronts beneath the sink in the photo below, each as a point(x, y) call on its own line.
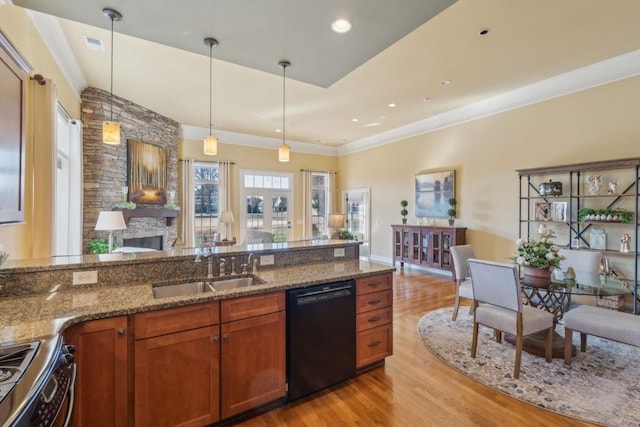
point(162, 322)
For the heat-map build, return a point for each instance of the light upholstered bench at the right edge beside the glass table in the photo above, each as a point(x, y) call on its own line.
point(610, 324)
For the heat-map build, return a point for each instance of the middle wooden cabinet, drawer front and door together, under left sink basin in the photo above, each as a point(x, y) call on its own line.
point(177, 366)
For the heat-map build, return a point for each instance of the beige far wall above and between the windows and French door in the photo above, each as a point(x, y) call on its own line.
point(260, 159)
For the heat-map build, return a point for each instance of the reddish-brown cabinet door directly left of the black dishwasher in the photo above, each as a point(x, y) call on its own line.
point(253, 362)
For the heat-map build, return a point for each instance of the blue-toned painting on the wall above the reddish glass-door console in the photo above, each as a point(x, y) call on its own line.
point(433, 190)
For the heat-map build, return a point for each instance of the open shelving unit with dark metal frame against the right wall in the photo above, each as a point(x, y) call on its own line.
point(562, 213)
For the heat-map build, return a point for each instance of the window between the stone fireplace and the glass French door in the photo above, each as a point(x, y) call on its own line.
point(206, 191)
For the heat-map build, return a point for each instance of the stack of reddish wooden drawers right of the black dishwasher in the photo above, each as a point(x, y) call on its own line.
point(374, 319)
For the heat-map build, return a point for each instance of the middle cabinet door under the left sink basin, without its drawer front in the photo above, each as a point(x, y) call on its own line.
point(177, 378)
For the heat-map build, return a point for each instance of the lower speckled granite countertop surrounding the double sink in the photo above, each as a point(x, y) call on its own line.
point(42, 315)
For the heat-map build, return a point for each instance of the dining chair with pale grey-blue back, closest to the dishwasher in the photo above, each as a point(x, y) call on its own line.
point(498, 305)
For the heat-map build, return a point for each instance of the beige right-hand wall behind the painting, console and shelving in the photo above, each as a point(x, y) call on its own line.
point(597, 124)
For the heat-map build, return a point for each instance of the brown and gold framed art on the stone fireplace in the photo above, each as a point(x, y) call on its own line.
point(147, 173)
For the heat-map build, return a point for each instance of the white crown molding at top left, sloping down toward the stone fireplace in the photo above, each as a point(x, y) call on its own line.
point(53, 36)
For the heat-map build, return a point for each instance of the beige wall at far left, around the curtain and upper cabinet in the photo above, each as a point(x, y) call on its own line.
point(16, 25)
